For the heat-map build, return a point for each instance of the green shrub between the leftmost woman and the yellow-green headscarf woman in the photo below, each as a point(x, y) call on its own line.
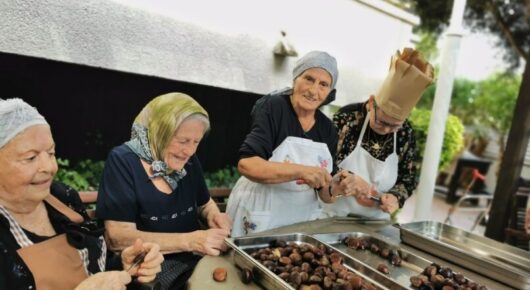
point(83, 176)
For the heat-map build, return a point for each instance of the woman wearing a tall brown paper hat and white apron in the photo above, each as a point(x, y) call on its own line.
point(377, 143)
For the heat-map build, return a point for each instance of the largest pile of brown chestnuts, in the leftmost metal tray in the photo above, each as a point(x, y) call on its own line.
point(306, 266)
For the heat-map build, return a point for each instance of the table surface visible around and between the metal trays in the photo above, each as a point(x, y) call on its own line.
point(202, 276)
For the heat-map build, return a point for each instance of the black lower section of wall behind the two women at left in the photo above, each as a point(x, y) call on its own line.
point(91, 110)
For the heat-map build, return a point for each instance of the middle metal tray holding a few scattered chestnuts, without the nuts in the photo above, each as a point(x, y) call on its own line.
point(411, 264)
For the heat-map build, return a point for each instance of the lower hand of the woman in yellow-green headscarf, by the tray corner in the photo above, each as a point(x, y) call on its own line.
point(209, 242)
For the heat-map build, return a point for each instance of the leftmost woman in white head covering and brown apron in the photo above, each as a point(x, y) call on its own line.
point(45, 240)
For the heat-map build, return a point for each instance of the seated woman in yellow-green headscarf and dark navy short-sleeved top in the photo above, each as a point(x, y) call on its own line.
point(153, 188)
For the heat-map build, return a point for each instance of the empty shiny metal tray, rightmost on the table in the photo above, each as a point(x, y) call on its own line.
point(490, 258)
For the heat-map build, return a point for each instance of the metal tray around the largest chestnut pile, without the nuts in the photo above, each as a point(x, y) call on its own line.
point(269, 280)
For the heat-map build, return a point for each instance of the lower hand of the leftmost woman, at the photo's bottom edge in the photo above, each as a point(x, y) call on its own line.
point(111, 280)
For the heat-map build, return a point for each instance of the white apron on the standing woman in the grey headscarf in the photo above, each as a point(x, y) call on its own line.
point(255, 207)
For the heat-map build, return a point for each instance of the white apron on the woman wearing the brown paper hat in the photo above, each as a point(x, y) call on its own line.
point(382, 174)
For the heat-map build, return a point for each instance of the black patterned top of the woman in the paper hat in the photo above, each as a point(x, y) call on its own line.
point(349, 121)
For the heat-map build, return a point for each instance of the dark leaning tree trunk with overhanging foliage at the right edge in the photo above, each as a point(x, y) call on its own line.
point(509, 20)
